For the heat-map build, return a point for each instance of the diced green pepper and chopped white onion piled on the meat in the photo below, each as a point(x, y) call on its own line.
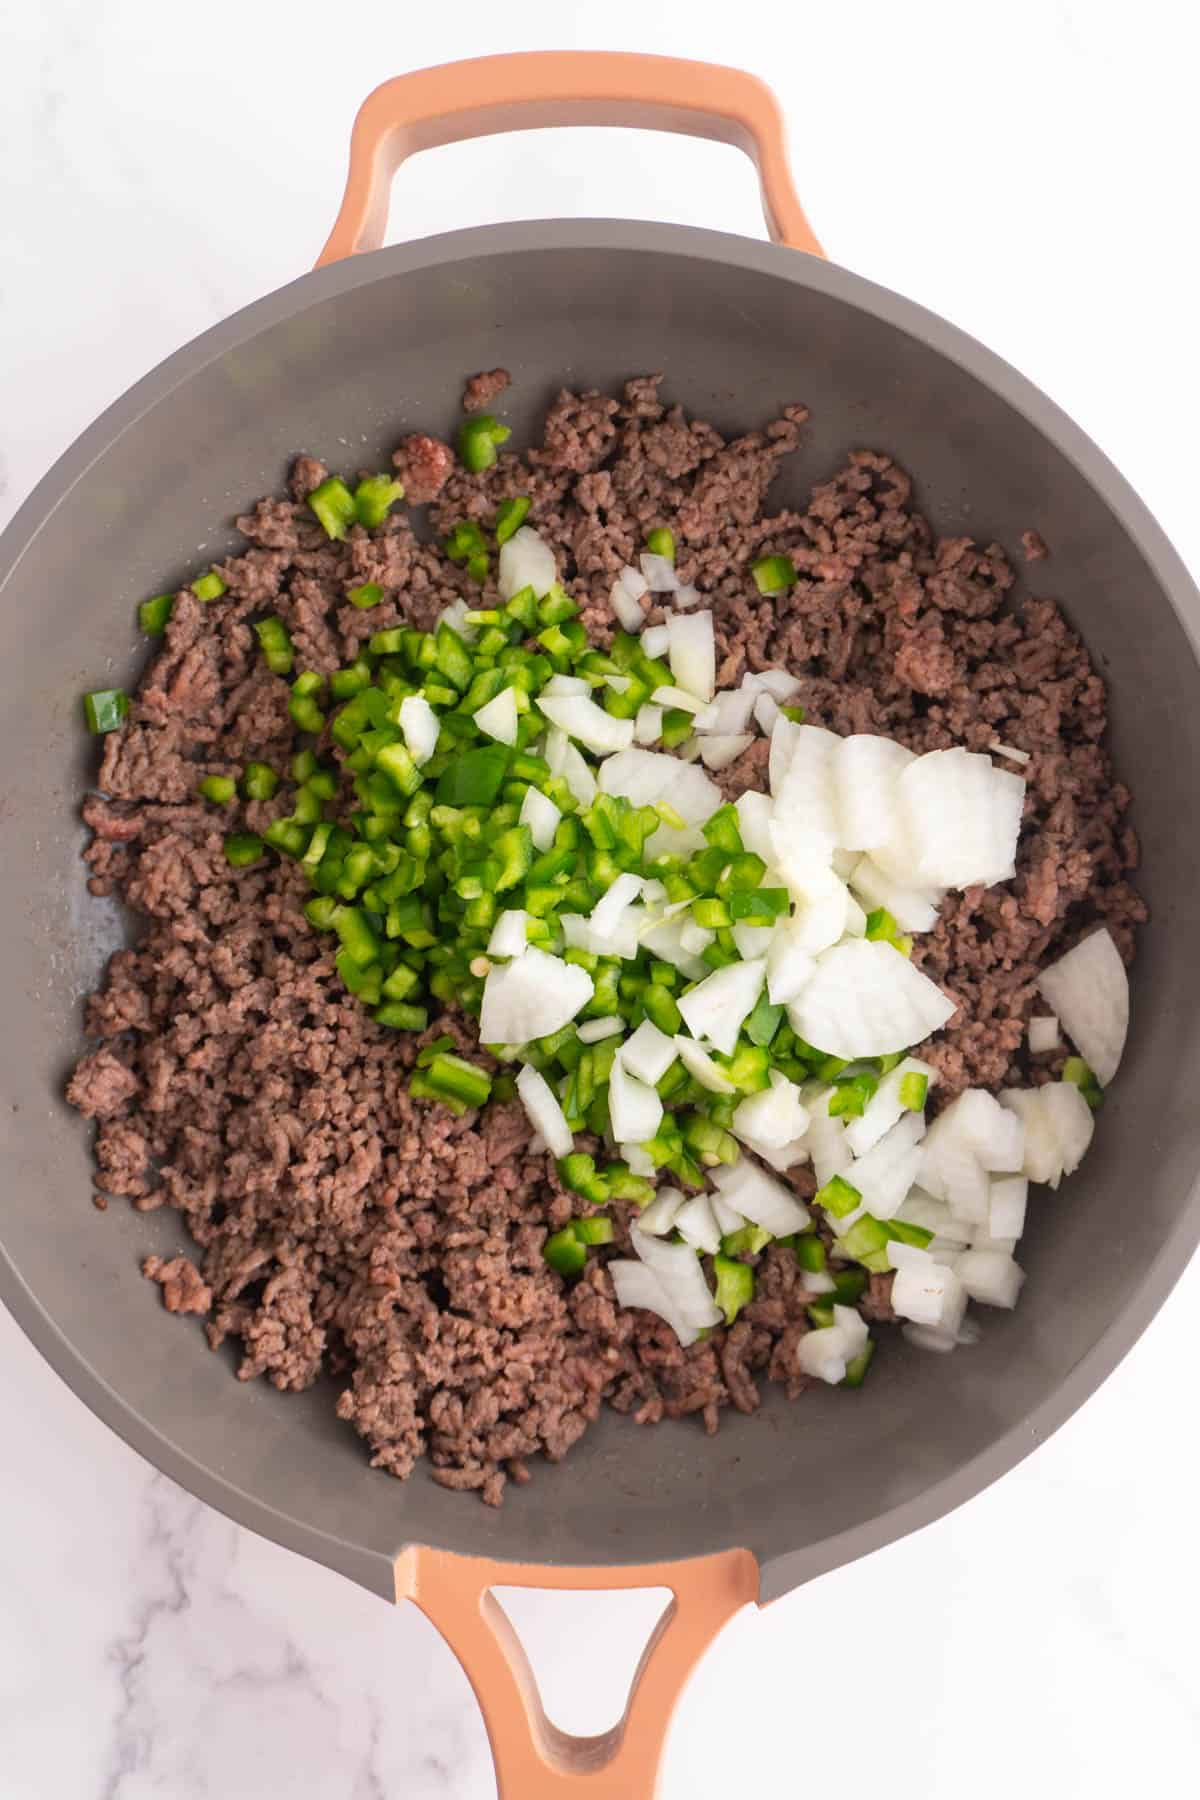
point(715, 991)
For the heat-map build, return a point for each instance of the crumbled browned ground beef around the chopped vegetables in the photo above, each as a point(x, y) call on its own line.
point(339, 1223)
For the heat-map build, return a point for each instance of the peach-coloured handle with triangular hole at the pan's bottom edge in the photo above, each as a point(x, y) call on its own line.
point(535, 1761)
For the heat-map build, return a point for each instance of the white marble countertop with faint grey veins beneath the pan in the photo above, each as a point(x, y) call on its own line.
point(1026, 170)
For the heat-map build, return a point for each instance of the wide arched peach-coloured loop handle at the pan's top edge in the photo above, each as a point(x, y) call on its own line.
point(530, 89)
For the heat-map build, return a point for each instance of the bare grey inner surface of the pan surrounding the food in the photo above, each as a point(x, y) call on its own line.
point(339, 364)
